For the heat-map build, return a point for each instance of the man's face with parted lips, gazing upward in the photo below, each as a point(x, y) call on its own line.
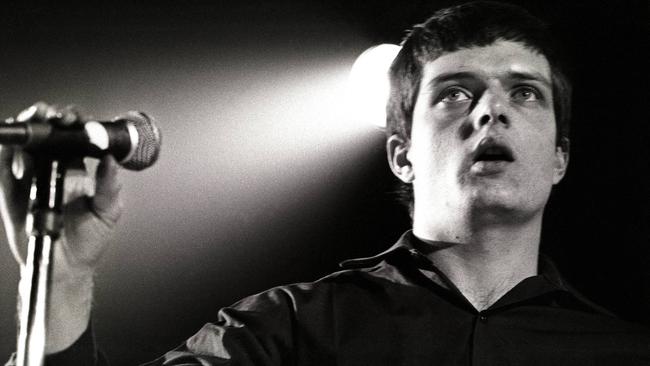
point(483, 134)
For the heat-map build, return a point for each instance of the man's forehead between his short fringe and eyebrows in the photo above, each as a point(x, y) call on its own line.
point(496, 60)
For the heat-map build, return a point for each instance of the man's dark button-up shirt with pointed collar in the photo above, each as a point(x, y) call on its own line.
point(386, 310)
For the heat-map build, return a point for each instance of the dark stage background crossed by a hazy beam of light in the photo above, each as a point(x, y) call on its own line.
point(260, 184)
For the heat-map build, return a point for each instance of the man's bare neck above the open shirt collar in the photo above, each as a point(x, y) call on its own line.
point(484, 261)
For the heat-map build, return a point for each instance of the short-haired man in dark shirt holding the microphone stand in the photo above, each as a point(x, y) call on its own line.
point(478, 133)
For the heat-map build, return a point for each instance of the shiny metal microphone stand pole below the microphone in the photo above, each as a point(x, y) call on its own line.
point(45, 203)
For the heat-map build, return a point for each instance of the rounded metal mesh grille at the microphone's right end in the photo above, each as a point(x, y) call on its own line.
point(147, 150)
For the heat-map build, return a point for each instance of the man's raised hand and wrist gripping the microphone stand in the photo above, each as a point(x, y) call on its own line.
point(90, 213)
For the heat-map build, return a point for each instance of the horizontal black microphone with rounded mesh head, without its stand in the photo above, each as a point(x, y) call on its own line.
point(133, 139)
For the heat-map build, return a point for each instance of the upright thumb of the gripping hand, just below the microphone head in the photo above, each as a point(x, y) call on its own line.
point(106, 202)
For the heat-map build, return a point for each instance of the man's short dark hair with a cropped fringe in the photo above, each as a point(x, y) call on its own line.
point(474, 24)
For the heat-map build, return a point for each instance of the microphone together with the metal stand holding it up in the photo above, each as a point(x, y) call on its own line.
point(133, 139)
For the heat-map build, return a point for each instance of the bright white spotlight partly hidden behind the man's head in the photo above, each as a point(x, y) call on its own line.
point(369, 85)
